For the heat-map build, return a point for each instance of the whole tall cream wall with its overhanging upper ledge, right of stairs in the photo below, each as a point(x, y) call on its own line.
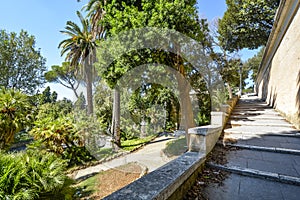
point(278, 79)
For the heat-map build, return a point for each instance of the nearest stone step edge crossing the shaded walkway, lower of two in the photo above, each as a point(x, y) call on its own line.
point(258, 174)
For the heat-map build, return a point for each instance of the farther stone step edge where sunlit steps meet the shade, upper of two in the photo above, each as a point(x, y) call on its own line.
point(268, 149)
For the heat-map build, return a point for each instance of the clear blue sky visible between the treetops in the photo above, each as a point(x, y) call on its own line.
point(45, 18)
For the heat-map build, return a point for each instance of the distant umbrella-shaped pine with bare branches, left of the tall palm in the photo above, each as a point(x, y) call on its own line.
point(64, 75)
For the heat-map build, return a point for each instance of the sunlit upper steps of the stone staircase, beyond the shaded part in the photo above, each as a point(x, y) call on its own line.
point(252, 118)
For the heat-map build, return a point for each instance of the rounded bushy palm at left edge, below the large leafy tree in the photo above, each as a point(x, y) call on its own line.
point(15, 115)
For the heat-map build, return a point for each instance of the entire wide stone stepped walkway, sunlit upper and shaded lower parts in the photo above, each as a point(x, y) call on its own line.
point(265, 160)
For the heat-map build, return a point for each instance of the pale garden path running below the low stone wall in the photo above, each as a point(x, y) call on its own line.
point(150, 156)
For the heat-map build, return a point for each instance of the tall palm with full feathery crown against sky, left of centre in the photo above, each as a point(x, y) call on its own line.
point(81, 50)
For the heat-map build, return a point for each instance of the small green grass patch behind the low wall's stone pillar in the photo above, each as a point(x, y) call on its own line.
point(176, 147)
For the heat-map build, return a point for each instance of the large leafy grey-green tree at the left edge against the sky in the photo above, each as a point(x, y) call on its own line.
point(22, 65)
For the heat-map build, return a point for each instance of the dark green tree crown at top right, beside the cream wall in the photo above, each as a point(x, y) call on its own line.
point(247, 23)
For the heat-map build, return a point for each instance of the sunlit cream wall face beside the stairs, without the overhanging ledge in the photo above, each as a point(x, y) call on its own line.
point(280, 83)
